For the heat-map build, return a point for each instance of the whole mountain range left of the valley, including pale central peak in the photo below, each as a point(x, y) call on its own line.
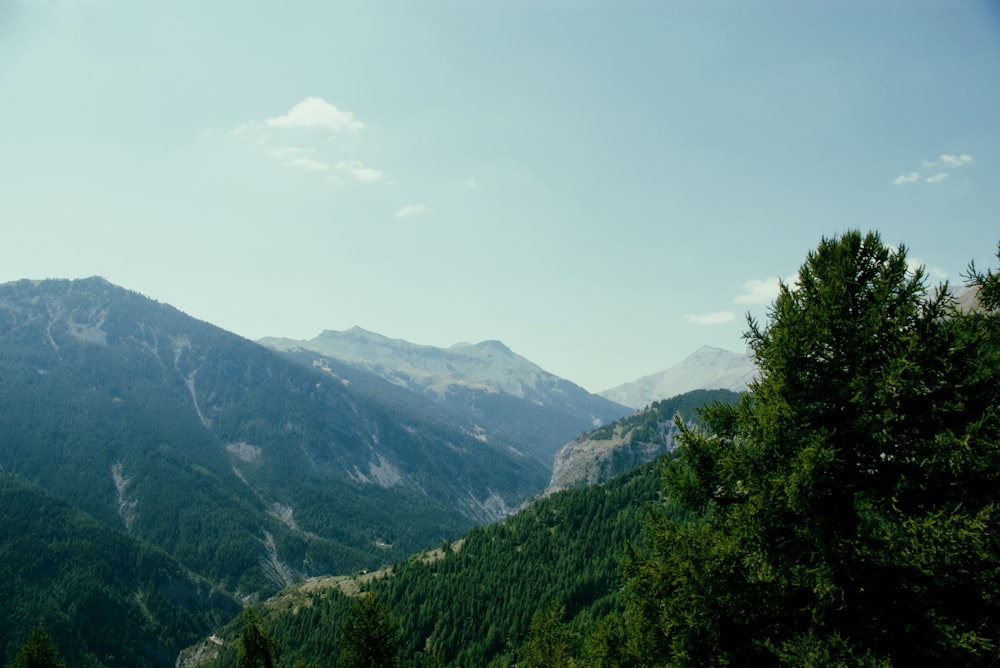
point(219, 470)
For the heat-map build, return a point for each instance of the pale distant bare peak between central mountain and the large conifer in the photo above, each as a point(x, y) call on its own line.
point(706, 369)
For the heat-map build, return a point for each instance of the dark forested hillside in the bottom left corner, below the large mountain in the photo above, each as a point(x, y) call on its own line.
point(105, 598)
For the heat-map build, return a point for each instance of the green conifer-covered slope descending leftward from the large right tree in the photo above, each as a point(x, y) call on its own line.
point(471, 602)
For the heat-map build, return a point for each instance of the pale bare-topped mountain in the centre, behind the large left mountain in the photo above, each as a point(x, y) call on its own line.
point(505, 396)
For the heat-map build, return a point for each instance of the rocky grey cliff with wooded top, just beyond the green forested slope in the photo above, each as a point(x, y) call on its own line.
point(603, 453)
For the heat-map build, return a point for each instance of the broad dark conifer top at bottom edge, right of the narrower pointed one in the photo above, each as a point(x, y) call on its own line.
point(370, 635)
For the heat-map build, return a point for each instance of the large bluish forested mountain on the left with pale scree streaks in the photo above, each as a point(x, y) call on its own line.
point(251, 470)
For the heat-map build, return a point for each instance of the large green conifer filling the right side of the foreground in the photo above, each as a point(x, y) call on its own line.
point(845, 510)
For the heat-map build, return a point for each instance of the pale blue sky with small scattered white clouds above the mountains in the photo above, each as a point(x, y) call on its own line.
point(603, 185)
